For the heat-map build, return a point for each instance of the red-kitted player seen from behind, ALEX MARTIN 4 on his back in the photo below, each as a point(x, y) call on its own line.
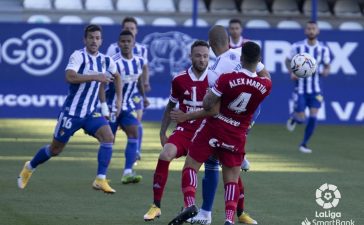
point(229, 106)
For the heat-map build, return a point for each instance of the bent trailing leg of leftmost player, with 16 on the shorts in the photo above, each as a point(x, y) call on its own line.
point(65, 128)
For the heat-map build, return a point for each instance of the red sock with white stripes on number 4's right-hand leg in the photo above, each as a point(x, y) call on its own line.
point(231, 199)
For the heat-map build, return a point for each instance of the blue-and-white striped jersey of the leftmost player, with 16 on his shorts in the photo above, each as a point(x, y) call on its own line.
point(83, 98)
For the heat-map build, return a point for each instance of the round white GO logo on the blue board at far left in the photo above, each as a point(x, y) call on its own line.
point(38, 51)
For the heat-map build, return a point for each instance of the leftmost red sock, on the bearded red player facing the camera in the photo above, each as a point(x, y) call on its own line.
point(160, 180)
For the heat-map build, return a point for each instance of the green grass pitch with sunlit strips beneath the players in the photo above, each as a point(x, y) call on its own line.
point(280, 188)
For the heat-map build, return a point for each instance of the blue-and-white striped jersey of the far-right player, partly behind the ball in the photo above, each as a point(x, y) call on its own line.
point(321, 53)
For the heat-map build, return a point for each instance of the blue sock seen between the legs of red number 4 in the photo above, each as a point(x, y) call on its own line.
point(209, 183)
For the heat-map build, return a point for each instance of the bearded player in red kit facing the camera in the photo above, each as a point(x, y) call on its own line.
point(188, 89)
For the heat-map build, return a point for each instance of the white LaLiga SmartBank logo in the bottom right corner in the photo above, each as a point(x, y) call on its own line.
point(327, 197)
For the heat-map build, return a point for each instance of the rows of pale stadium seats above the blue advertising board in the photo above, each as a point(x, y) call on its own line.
point(333, 12)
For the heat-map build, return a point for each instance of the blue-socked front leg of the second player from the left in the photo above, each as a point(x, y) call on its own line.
point(130, 123)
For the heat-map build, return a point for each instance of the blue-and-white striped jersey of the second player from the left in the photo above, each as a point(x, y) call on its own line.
point(130, 70)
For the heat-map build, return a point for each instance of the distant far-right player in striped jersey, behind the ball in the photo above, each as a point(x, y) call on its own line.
point(307, 92)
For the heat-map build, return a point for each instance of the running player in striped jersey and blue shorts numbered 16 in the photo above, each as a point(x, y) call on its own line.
point(86, 69)
